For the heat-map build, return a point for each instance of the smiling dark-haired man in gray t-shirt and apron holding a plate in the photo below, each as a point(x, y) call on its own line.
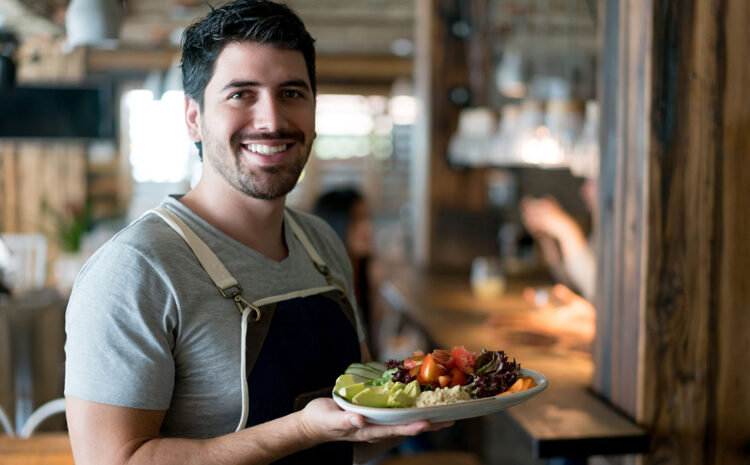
point(200, 333)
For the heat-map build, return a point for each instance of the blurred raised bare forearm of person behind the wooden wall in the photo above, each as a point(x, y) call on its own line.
point(564, 245)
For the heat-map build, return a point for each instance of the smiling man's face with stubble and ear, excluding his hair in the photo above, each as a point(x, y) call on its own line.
point(258, 121)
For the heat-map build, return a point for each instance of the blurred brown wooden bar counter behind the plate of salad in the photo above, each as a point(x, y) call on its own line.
point(567, 419)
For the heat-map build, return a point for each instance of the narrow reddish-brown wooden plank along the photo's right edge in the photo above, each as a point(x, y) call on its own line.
point(731, 426)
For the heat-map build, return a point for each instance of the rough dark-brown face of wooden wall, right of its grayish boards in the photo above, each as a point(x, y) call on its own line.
point(697, 201)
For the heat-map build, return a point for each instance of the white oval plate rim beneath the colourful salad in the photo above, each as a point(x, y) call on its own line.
point(460, 410)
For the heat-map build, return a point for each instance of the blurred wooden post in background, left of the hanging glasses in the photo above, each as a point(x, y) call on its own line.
point(440, 65)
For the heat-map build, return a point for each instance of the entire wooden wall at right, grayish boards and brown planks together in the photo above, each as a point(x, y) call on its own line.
point(683, 282)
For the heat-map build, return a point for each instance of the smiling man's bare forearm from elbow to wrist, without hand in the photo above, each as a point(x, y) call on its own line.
point(260, 444)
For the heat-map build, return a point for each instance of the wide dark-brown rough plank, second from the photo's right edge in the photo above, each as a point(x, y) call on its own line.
point(681, 316)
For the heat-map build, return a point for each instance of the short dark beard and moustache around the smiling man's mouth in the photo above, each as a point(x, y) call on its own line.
point(259, 182)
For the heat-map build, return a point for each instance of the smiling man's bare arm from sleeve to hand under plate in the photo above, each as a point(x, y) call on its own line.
point(106, 434)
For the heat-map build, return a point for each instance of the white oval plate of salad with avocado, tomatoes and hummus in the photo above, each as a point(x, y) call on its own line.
point(439, 386)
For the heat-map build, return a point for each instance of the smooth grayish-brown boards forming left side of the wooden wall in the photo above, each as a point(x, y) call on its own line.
point(620, 229)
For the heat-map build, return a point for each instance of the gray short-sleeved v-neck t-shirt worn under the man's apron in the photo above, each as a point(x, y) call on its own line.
point(146, 327)
